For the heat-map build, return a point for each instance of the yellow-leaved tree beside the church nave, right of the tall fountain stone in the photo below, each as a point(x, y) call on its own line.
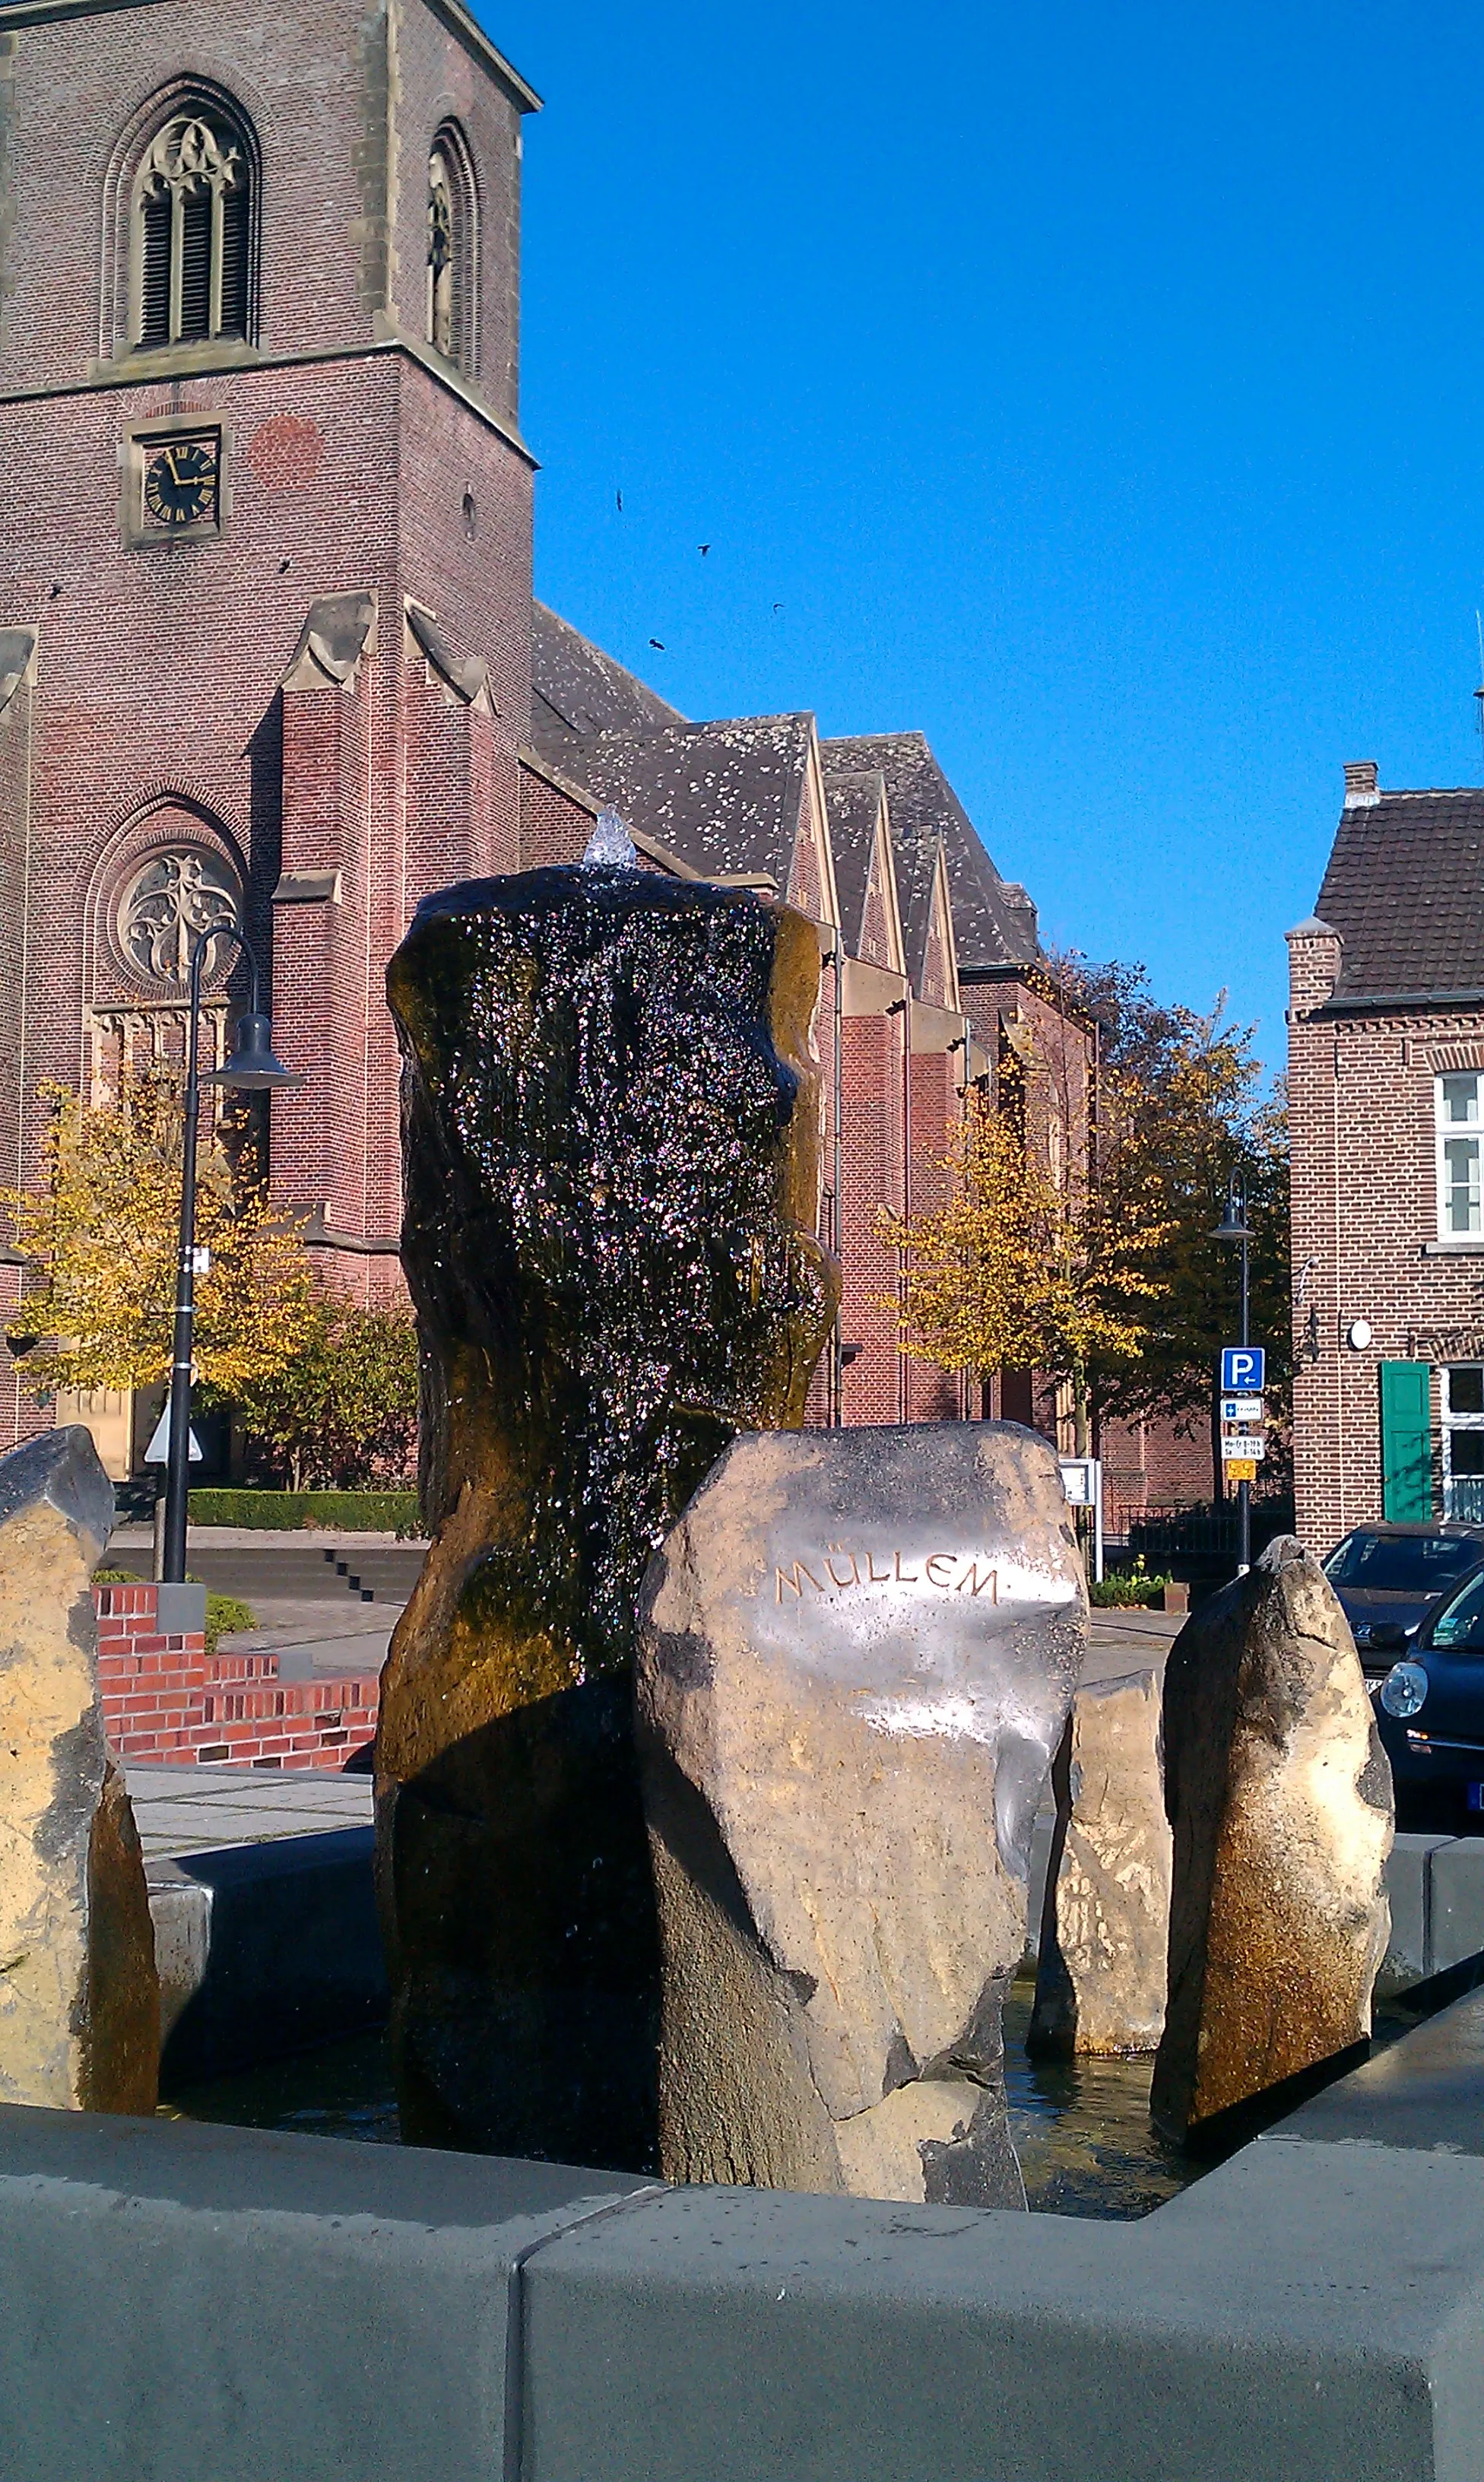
point(1024, 1272)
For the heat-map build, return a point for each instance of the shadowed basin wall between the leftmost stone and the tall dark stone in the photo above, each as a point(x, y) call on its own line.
point(264, 1950)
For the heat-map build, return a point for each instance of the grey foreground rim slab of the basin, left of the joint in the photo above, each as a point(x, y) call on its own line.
point(237, 2307)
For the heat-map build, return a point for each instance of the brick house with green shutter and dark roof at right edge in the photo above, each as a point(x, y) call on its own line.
point(1386, 1091)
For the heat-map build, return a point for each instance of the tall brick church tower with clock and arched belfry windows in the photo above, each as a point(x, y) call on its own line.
point(267, 542)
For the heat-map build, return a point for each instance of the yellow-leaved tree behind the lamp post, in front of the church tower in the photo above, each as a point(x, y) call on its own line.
point(101, 1232)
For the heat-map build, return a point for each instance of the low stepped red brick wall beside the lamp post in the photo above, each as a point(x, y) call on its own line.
point(168, 1701)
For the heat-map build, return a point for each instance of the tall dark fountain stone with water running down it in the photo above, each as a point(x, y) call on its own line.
point(612, 1200)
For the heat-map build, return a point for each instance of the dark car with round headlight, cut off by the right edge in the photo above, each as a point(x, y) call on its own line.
point(1431, 1711)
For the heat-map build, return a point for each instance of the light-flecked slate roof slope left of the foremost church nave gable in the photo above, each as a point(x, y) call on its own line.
point(723, 798)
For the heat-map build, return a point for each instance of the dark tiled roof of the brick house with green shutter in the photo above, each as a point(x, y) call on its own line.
point(1406, 892)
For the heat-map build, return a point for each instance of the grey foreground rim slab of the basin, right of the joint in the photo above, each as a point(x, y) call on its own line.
point(1279, 2322)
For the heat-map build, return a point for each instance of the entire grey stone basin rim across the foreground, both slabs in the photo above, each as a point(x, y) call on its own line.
point(235, 2305)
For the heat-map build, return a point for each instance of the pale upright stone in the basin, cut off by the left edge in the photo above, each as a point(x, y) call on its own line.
point(78, 1989)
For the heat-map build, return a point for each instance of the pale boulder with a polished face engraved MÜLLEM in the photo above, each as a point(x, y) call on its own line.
point(857, 1659)
